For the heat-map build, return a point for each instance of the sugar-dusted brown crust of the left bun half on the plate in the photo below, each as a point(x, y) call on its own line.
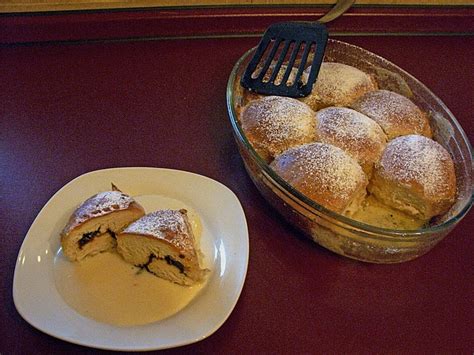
point(99, 205)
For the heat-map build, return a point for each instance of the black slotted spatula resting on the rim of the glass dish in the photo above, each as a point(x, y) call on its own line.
point(290, 44)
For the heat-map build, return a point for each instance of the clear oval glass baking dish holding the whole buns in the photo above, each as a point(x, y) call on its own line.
point(336, 232)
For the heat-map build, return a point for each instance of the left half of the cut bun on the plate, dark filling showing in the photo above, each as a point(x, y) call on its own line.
point(93, 226)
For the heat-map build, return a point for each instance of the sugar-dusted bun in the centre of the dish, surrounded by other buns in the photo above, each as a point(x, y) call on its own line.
point(353, 132)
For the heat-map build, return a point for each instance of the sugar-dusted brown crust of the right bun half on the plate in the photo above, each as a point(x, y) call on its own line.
point(171, 226)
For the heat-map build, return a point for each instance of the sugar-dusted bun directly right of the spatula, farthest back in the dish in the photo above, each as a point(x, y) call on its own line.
point(338, 85)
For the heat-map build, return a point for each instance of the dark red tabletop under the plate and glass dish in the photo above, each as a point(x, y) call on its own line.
point(66, 109)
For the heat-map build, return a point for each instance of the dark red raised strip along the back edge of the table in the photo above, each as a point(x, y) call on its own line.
point(218, 22)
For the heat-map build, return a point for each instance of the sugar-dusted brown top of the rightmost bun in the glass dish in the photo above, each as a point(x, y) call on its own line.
point(421, 163)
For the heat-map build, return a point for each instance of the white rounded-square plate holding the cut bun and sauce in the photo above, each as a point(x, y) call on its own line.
point(225, 244)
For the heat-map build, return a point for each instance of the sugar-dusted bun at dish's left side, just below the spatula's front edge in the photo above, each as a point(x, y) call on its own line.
point(273, 124)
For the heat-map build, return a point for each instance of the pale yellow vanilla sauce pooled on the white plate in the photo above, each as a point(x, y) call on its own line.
point(107, 289)
